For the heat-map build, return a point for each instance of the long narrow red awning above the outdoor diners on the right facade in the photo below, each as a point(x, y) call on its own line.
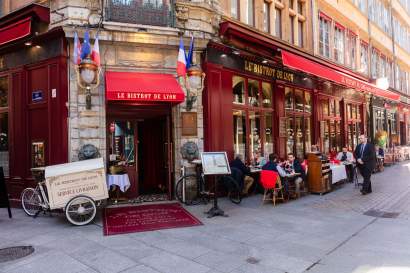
point(305, 65)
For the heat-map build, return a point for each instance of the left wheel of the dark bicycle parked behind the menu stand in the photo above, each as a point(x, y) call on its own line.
point(187, 192)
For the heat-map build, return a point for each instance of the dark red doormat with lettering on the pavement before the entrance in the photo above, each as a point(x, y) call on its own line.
point(119, 220)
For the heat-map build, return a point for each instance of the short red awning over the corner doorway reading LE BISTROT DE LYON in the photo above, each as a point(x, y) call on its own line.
point(142, 87)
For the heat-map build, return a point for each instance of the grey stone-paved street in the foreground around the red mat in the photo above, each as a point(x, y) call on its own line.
point(319, 234)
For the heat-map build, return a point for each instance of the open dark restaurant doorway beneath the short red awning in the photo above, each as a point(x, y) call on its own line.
point(141, 142)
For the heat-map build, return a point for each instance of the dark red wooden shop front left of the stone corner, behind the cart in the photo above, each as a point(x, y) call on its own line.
point(33, 96)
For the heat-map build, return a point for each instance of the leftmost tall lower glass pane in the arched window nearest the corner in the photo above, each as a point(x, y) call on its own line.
point(239, 132)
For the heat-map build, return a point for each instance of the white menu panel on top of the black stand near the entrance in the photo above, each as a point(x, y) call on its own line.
point(215, 163)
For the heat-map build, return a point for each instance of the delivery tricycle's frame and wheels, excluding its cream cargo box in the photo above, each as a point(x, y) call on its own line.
point(79, 210)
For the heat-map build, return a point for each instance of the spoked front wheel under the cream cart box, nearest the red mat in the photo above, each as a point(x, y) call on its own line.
point(80, 210)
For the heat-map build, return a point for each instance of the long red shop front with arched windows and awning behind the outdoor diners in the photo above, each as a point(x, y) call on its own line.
point(264, 96)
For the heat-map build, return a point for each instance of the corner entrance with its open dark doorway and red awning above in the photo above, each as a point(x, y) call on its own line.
point(139, 129)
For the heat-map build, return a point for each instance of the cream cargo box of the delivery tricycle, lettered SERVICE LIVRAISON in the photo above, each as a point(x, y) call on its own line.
point(66, 181)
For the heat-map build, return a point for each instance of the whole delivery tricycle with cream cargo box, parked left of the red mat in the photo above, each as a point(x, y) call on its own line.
point(74, 187)
